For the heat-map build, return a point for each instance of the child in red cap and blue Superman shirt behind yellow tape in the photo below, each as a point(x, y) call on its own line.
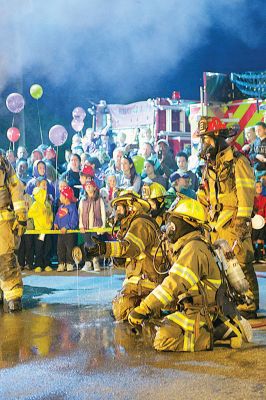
point(66, 218)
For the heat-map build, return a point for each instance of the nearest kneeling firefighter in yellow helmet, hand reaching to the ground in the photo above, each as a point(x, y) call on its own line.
point(193, 283)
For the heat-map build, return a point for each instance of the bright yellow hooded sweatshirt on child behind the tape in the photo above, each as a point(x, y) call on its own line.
point(40, 211)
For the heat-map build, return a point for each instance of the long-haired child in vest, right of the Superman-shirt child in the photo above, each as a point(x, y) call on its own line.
point(91, 215)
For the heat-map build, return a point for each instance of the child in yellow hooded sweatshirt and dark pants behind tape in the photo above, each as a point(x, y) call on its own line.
point(41, 213)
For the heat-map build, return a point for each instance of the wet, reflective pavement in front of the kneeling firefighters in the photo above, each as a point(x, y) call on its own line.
point(65, 345)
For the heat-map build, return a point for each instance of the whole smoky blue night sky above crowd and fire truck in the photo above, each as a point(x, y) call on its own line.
point(120, 51)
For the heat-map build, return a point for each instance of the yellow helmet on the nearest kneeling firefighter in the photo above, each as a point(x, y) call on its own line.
point(192, 211)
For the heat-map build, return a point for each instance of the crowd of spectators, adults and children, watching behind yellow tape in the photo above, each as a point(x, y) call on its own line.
point(77, 193)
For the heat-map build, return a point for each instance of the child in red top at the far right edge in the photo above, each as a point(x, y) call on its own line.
point(258, 235)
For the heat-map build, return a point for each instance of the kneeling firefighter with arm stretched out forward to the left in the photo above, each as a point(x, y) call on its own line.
point(138, 243)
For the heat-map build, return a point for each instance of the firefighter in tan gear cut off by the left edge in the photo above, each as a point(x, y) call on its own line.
point(12, 226)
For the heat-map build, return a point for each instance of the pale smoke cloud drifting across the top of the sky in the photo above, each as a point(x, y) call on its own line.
point(116, 44)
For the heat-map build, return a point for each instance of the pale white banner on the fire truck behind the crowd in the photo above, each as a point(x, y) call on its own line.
point(131, 115)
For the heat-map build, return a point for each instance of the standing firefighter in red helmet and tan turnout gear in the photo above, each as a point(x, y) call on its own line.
point(228, 195)
